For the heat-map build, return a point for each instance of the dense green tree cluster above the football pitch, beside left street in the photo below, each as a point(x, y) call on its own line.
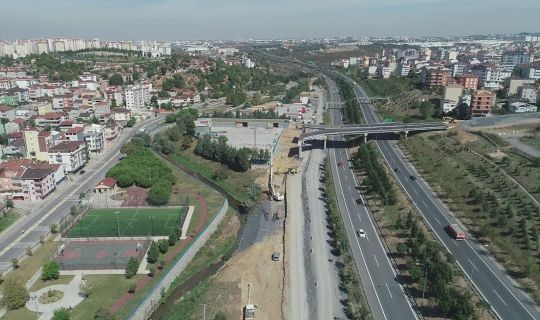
point(142, 168)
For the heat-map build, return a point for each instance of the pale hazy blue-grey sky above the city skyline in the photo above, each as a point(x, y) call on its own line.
point(235, 19)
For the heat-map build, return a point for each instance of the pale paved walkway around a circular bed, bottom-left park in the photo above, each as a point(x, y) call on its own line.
point(71, 298)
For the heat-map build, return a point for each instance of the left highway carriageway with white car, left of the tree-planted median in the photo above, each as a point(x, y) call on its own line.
point(384, 294)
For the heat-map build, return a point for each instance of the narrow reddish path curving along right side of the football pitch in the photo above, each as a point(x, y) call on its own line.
point(170, 256)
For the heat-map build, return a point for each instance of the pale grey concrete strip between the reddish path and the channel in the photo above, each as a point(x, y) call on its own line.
point(152, 298)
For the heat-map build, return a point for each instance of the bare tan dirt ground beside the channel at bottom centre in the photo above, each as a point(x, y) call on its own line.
point(254, 267)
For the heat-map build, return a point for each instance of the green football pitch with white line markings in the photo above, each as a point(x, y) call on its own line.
point(128, 222)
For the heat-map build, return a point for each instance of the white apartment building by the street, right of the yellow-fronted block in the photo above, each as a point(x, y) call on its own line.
point(72, 155)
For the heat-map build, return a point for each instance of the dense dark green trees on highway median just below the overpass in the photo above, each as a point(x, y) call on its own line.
point(377, 180)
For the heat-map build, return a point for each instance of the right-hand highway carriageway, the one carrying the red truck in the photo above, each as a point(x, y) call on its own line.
point(506, 300)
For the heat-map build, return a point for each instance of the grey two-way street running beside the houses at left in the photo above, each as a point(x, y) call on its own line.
point(52, 209)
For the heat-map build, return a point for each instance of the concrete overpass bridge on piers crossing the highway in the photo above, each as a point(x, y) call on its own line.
point(319, 132)
